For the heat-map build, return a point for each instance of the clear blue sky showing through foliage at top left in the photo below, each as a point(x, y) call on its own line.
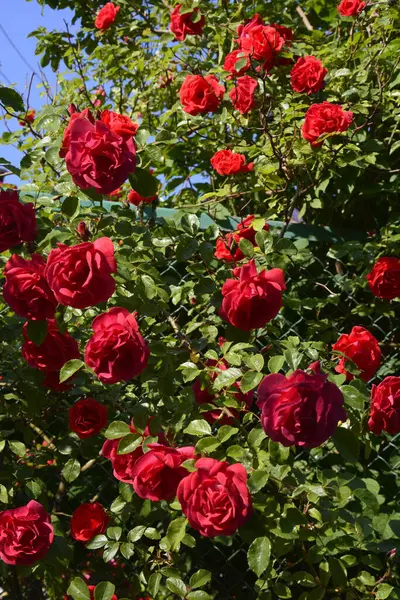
point(18, 19)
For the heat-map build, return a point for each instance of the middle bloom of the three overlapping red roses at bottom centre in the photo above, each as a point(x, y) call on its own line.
point(157, 473)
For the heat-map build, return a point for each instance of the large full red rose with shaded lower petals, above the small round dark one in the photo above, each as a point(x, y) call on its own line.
point(116, 351)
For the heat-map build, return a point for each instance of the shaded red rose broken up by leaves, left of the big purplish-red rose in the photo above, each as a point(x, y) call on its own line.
point(202, 395)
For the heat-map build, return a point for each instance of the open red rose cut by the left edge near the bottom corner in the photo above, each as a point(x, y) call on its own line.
point(26, 534)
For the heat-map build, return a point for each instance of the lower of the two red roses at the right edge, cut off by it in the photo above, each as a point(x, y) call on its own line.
point(385, 406)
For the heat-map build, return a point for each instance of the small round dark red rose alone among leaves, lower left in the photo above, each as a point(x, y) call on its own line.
point(87, 417)
